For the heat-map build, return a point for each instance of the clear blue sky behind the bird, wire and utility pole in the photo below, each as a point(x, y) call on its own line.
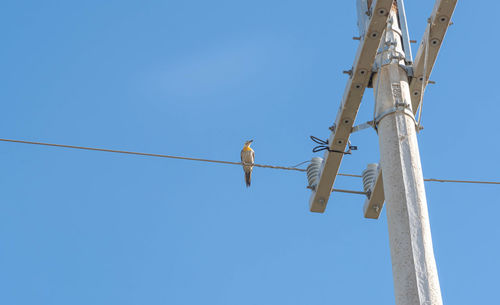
point(198, 78)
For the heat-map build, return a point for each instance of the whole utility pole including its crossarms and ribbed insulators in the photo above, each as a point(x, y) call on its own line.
point(399, 84)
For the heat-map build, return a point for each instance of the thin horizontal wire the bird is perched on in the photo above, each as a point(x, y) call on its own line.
point(216, 161)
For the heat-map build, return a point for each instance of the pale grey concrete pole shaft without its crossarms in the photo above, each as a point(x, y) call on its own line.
point(413, 264)
